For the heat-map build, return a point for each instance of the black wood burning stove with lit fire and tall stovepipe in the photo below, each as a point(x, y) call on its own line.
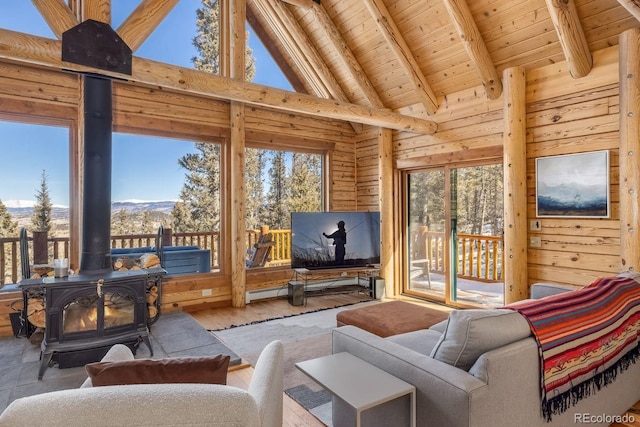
point(88, 312)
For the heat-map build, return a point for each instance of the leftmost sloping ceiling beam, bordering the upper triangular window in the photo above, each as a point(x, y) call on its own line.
point(302, 50)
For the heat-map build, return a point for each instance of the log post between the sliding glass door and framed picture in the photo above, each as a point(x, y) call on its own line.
point(515, 185)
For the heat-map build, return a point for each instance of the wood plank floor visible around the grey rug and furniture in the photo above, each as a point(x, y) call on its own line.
point(295, 415)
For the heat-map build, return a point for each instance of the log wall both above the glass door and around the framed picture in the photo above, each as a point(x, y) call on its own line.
point(564, 116)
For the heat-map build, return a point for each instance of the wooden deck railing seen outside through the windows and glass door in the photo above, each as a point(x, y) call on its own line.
point(479, 257)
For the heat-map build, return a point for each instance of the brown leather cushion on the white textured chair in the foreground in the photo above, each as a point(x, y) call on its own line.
point(208, 369)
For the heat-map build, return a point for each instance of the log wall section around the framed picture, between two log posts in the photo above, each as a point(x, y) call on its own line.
point(566, 116)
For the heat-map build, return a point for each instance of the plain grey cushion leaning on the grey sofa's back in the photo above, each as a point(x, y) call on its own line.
point(470, 333)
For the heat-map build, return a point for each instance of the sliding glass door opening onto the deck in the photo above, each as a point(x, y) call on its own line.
point(454, 234)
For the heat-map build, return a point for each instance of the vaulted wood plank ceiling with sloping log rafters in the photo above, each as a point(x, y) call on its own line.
point(407, 55)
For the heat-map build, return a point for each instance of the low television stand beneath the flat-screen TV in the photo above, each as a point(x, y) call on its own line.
point(315, 278)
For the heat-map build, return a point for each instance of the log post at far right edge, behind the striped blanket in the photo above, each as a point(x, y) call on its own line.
point(629, 149)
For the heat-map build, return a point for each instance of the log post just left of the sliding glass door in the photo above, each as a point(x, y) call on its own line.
point(385, 201)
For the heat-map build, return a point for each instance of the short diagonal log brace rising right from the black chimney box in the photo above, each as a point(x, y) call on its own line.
point(143, 21)
